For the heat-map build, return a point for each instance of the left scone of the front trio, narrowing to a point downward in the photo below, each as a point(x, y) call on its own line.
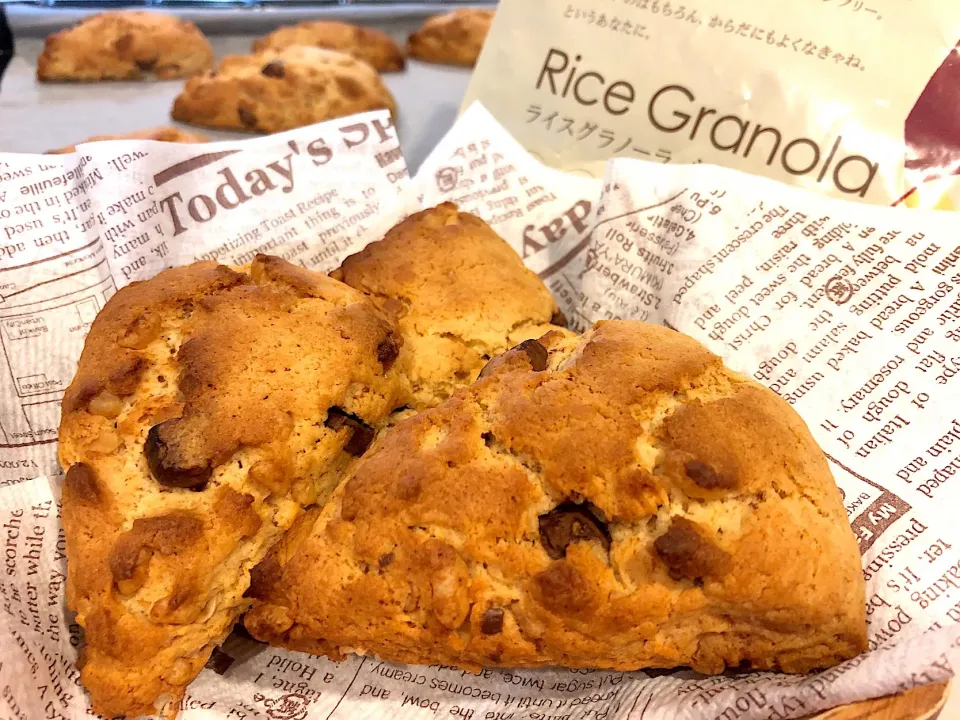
point(209, 407)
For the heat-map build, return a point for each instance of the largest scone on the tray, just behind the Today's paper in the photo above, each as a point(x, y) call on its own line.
point(282, 89)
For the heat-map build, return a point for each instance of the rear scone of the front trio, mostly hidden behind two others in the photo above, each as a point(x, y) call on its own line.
point(459, 294)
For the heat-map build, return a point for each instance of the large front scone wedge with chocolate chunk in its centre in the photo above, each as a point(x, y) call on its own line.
point(634, 504)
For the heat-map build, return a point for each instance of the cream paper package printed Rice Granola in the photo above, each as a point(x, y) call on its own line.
point(814, 93)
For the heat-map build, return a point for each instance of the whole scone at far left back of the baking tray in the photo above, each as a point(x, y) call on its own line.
point(125, 45)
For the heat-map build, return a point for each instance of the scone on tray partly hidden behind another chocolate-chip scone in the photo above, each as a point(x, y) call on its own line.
point(374, 47)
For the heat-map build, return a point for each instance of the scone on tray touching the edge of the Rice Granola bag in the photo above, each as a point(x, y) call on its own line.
point(455, 38)
